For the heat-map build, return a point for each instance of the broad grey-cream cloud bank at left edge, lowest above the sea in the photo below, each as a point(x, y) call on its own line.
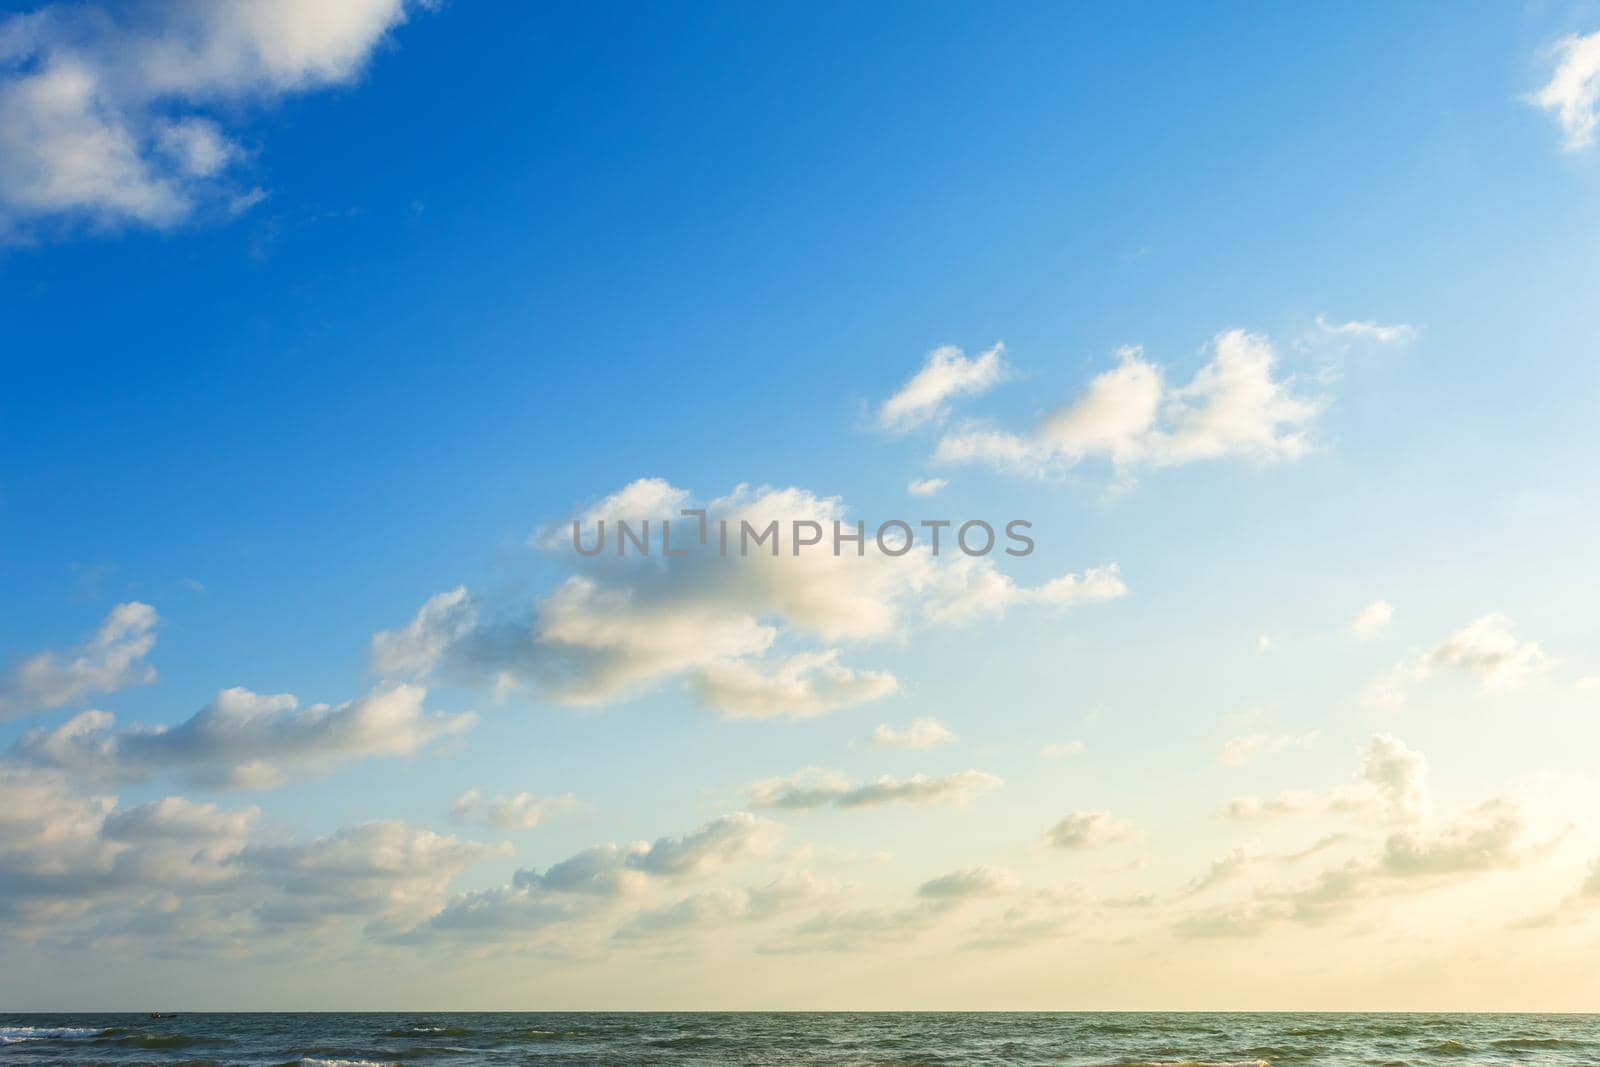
point(182, 874)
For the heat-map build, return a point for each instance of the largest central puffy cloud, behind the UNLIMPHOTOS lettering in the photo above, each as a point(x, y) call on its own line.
point(620, 625)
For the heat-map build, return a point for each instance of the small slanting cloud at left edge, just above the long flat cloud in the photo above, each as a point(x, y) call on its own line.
point(111, 660)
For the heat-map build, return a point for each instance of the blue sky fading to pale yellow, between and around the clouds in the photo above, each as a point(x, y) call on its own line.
point(489, 266)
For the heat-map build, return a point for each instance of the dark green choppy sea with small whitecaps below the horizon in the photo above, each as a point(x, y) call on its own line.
point(782, 1039)
